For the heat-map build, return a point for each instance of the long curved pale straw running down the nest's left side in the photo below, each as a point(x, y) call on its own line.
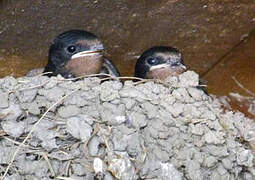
point(30, 133)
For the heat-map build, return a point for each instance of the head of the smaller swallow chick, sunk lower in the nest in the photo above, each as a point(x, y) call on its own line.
point(159, 62)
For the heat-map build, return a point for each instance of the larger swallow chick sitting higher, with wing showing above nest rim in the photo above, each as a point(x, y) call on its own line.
point(76, 53)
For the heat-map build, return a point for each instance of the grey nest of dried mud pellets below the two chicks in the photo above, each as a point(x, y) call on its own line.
point(113, 131)
